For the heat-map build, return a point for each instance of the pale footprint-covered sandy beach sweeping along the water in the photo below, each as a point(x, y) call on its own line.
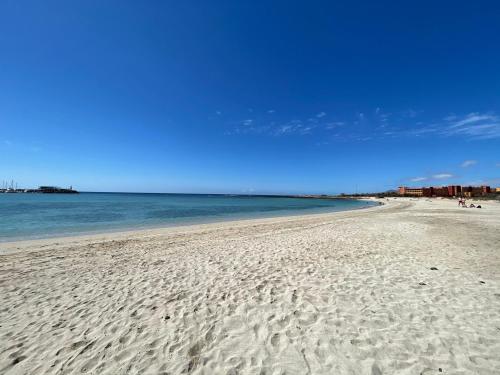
point(345, 293)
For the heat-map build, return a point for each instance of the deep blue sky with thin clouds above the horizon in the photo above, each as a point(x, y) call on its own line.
point(249, 96)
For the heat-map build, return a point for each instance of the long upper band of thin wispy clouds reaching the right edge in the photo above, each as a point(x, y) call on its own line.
point(376, 125)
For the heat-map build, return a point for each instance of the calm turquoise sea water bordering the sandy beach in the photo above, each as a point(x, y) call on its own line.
point(27, 216)
